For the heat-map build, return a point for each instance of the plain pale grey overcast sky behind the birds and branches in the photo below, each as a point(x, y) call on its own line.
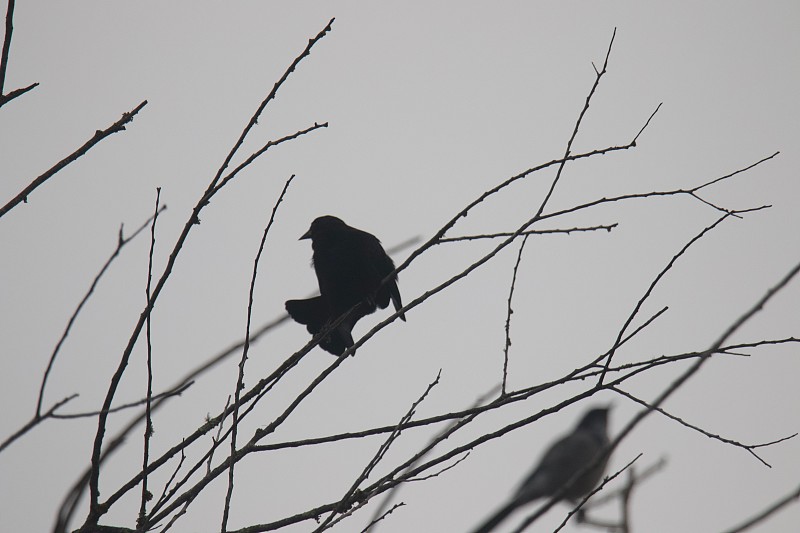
point(428, 105)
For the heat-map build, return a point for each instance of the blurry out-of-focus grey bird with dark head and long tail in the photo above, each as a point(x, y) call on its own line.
point(565, 459)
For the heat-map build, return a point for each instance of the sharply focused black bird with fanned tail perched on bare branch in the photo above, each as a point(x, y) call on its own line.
point(351, 266)
